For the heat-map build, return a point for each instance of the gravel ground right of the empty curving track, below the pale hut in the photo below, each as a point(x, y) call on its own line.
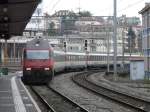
point(130, 87)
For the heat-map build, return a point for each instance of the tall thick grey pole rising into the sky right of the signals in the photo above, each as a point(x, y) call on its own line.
point(115, 40)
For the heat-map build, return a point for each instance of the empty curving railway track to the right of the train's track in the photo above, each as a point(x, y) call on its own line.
point(137, 103)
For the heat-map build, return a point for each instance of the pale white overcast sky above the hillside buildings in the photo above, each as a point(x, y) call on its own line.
point(96, 7)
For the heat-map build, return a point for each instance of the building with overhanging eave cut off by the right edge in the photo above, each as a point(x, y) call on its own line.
point(145, 12)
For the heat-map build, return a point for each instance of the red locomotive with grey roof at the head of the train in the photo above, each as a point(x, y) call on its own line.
point(38, 62)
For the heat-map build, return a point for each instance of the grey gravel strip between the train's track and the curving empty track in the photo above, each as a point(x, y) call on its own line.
point(88, 100)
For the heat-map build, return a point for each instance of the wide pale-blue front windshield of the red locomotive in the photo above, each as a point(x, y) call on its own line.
point(37, 54)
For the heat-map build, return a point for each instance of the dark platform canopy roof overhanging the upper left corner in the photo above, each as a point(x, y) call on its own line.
point(14, 16)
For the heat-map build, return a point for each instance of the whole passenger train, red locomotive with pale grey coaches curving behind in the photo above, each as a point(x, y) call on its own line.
point(41, 61)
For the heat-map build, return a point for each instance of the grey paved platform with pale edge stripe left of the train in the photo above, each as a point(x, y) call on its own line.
point(14, 97)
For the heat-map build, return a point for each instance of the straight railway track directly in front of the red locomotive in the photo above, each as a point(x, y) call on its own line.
point(56, 102)
